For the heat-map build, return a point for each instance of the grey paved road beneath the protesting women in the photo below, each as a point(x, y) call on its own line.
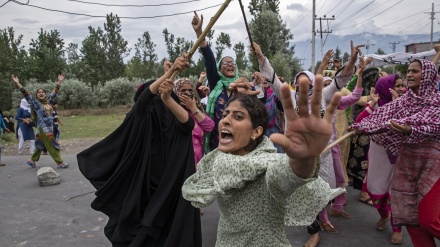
point(35, 216)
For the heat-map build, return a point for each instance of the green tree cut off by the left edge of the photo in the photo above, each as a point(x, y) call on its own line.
point(13, 60)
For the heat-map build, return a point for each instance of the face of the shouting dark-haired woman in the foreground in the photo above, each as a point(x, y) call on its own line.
point(235, 129)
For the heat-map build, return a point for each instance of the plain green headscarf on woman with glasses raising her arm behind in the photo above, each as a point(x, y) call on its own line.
point(212, 99)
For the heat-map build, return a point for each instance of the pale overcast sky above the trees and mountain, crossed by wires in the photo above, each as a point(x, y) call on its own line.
point(399, 17)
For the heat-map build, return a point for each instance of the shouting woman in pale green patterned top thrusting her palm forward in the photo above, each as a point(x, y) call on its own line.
point(259, 190)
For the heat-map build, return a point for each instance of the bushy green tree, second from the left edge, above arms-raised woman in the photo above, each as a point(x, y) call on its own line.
point(46, 56)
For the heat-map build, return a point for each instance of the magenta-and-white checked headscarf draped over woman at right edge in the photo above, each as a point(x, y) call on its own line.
point(421, 112)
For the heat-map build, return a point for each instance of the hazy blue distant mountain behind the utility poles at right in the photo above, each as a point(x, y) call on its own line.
point(303, 49)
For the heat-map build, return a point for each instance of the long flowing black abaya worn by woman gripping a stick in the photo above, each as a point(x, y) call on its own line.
point(138, 172)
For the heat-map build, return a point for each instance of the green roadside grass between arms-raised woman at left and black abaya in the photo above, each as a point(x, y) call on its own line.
point(82, 123)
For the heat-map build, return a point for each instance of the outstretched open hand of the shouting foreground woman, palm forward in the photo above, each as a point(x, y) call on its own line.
point(308, 134)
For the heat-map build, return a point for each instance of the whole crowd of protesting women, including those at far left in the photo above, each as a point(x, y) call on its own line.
point(259, 149)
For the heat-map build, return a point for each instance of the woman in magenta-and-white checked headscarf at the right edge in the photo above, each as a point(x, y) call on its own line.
point(409, 128)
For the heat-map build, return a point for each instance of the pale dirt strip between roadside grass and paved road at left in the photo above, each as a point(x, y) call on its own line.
point(72, 146)
